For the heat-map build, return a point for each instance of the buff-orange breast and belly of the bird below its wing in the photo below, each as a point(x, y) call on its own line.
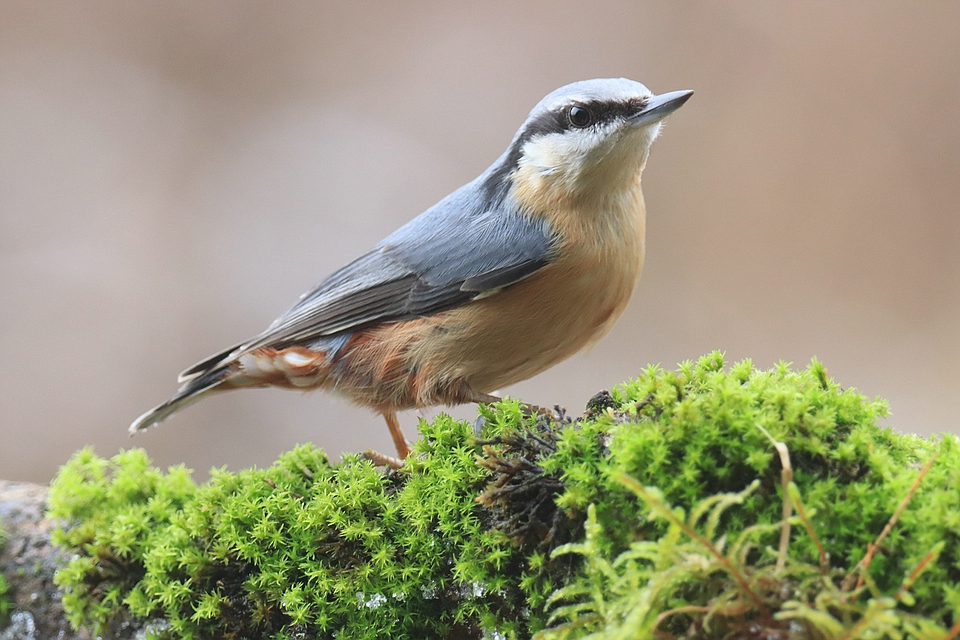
point(538, 322)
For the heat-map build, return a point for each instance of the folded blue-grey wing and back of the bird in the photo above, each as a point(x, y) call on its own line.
point(458, 250)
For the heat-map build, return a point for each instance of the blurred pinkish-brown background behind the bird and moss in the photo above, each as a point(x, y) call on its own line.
point(174, 174)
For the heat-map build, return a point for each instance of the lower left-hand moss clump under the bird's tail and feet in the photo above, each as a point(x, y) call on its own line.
point(302, 549)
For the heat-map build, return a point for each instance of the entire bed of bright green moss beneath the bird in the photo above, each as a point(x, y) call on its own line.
point(560, 528)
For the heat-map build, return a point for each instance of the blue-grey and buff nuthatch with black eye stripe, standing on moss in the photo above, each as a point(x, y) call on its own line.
point(529, 263)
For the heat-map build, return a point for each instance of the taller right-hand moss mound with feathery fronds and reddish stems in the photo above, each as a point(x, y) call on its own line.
point(698, 441)
